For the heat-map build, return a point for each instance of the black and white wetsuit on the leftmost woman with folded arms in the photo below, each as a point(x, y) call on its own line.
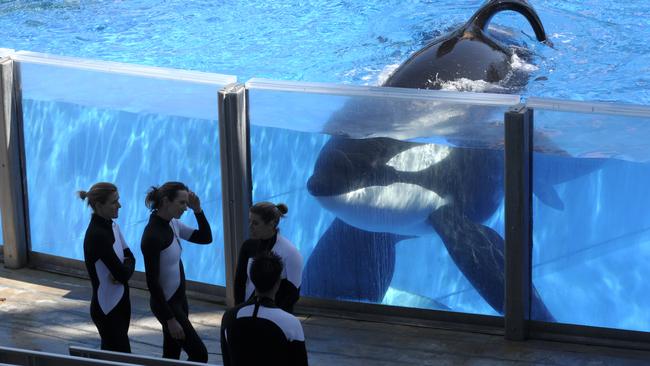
point(110, 307)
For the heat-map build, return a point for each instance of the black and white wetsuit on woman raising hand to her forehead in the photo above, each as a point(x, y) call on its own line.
point(161, 249)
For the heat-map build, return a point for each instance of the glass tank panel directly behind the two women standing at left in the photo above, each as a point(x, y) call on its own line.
point(88, 121)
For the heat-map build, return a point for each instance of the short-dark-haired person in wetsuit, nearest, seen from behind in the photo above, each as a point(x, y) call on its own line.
point(257, 332)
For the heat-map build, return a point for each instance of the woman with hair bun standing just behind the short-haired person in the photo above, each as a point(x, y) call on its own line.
point(263, 220)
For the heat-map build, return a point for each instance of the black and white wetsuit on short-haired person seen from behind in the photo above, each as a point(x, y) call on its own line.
point(259, 333)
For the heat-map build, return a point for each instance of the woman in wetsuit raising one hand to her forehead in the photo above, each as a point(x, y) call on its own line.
point(161, 248)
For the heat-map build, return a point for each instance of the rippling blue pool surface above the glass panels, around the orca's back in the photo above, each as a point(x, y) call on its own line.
point(336, 41)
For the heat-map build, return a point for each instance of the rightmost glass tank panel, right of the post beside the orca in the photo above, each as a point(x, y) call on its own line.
point(590, 213)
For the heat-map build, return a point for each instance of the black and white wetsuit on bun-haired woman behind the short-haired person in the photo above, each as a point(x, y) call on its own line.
point(289, 291)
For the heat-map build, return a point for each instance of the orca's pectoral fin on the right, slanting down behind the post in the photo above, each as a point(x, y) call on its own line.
point(478, 251)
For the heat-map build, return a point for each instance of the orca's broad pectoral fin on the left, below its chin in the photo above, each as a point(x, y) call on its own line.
point(350, 263)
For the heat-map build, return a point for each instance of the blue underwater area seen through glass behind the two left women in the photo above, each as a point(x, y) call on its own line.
point(69, 147)
